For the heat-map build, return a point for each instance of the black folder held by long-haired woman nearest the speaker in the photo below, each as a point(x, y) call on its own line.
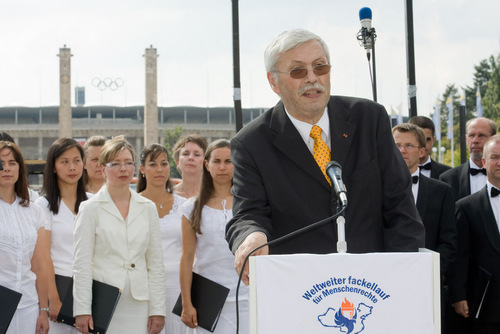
point(208, 298)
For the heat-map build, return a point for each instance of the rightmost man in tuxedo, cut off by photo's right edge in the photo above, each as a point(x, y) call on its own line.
point(478, 218)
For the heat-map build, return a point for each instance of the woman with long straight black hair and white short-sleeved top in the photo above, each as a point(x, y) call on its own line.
point(62, 192)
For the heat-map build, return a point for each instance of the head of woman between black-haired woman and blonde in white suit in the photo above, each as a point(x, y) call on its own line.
point(93, 178)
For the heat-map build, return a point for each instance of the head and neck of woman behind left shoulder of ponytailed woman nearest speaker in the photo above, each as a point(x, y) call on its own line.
point(189, 153)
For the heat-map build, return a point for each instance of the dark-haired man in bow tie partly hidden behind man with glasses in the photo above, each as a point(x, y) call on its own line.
point(427, 166)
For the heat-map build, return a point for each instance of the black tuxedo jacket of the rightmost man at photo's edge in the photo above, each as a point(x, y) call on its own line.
point(478, 243)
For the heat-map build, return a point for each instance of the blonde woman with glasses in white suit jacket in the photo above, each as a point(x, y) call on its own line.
point(117, 241)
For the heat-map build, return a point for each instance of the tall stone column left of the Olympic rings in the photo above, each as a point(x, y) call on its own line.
point(65, 115)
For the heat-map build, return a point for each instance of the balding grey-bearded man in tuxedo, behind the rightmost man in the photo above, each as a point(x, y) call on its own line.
point(469, 177)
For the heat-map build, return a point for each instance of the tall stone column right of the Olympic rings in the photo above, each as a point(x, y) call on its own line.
point(151, 105)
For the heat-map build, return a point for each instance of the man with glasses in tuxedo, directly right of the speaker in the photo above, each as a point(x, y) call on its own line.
point(433, 198)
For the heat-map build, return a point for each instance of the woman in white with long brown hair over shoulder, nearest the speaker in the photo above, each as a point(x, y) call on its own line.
point(204, 247)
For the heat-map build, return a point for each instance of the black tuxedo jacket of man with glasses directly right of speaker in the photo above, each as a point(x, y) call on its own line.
point(437, 209)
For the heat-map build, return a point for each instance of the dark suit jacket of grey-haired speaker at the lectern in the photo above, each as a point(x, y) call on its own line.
point(279, 188)
